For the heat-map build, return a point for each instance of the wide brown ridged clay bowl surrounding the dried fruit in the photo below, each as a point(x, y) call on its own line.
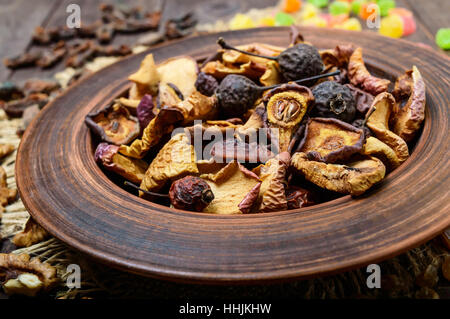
point(70, 196)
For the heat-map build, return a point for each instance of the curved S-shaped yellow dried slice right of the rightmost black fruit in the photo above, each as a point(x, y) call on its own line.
point(378, 122)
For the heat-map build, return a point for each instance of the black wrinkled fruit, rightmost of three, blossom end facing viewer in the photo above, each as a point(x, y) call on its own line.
point(334, 100)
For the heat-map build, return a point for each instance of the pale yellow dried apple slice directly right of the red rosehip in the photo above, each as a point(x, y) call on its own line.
point(230, 187)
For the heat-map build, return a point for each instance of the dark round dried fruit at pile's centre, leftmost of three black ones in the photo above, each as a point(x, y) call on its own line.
point(236, 94)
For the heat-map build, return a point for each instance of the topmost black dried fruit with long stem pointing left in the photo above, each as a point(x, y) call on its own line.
point(297, 62)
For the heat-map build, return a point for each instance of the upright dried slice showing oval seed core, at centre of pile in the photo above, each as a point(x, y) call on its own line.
point(286, 106)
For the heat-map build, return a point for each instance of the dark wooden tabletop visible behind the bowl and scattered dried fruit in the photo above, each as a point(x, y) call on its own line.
point(15, 33)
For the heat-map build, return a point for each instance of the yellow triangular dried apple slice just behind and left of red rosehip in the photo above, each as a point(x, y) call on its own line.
point(176, 159)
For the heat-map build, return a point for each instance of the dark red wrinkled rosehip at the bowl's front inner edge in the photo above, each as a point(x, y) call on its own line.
point(190, 193)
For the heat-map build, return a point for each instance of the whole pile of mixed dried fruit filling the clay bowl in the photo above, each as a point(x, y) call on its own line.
point(257, 129)
